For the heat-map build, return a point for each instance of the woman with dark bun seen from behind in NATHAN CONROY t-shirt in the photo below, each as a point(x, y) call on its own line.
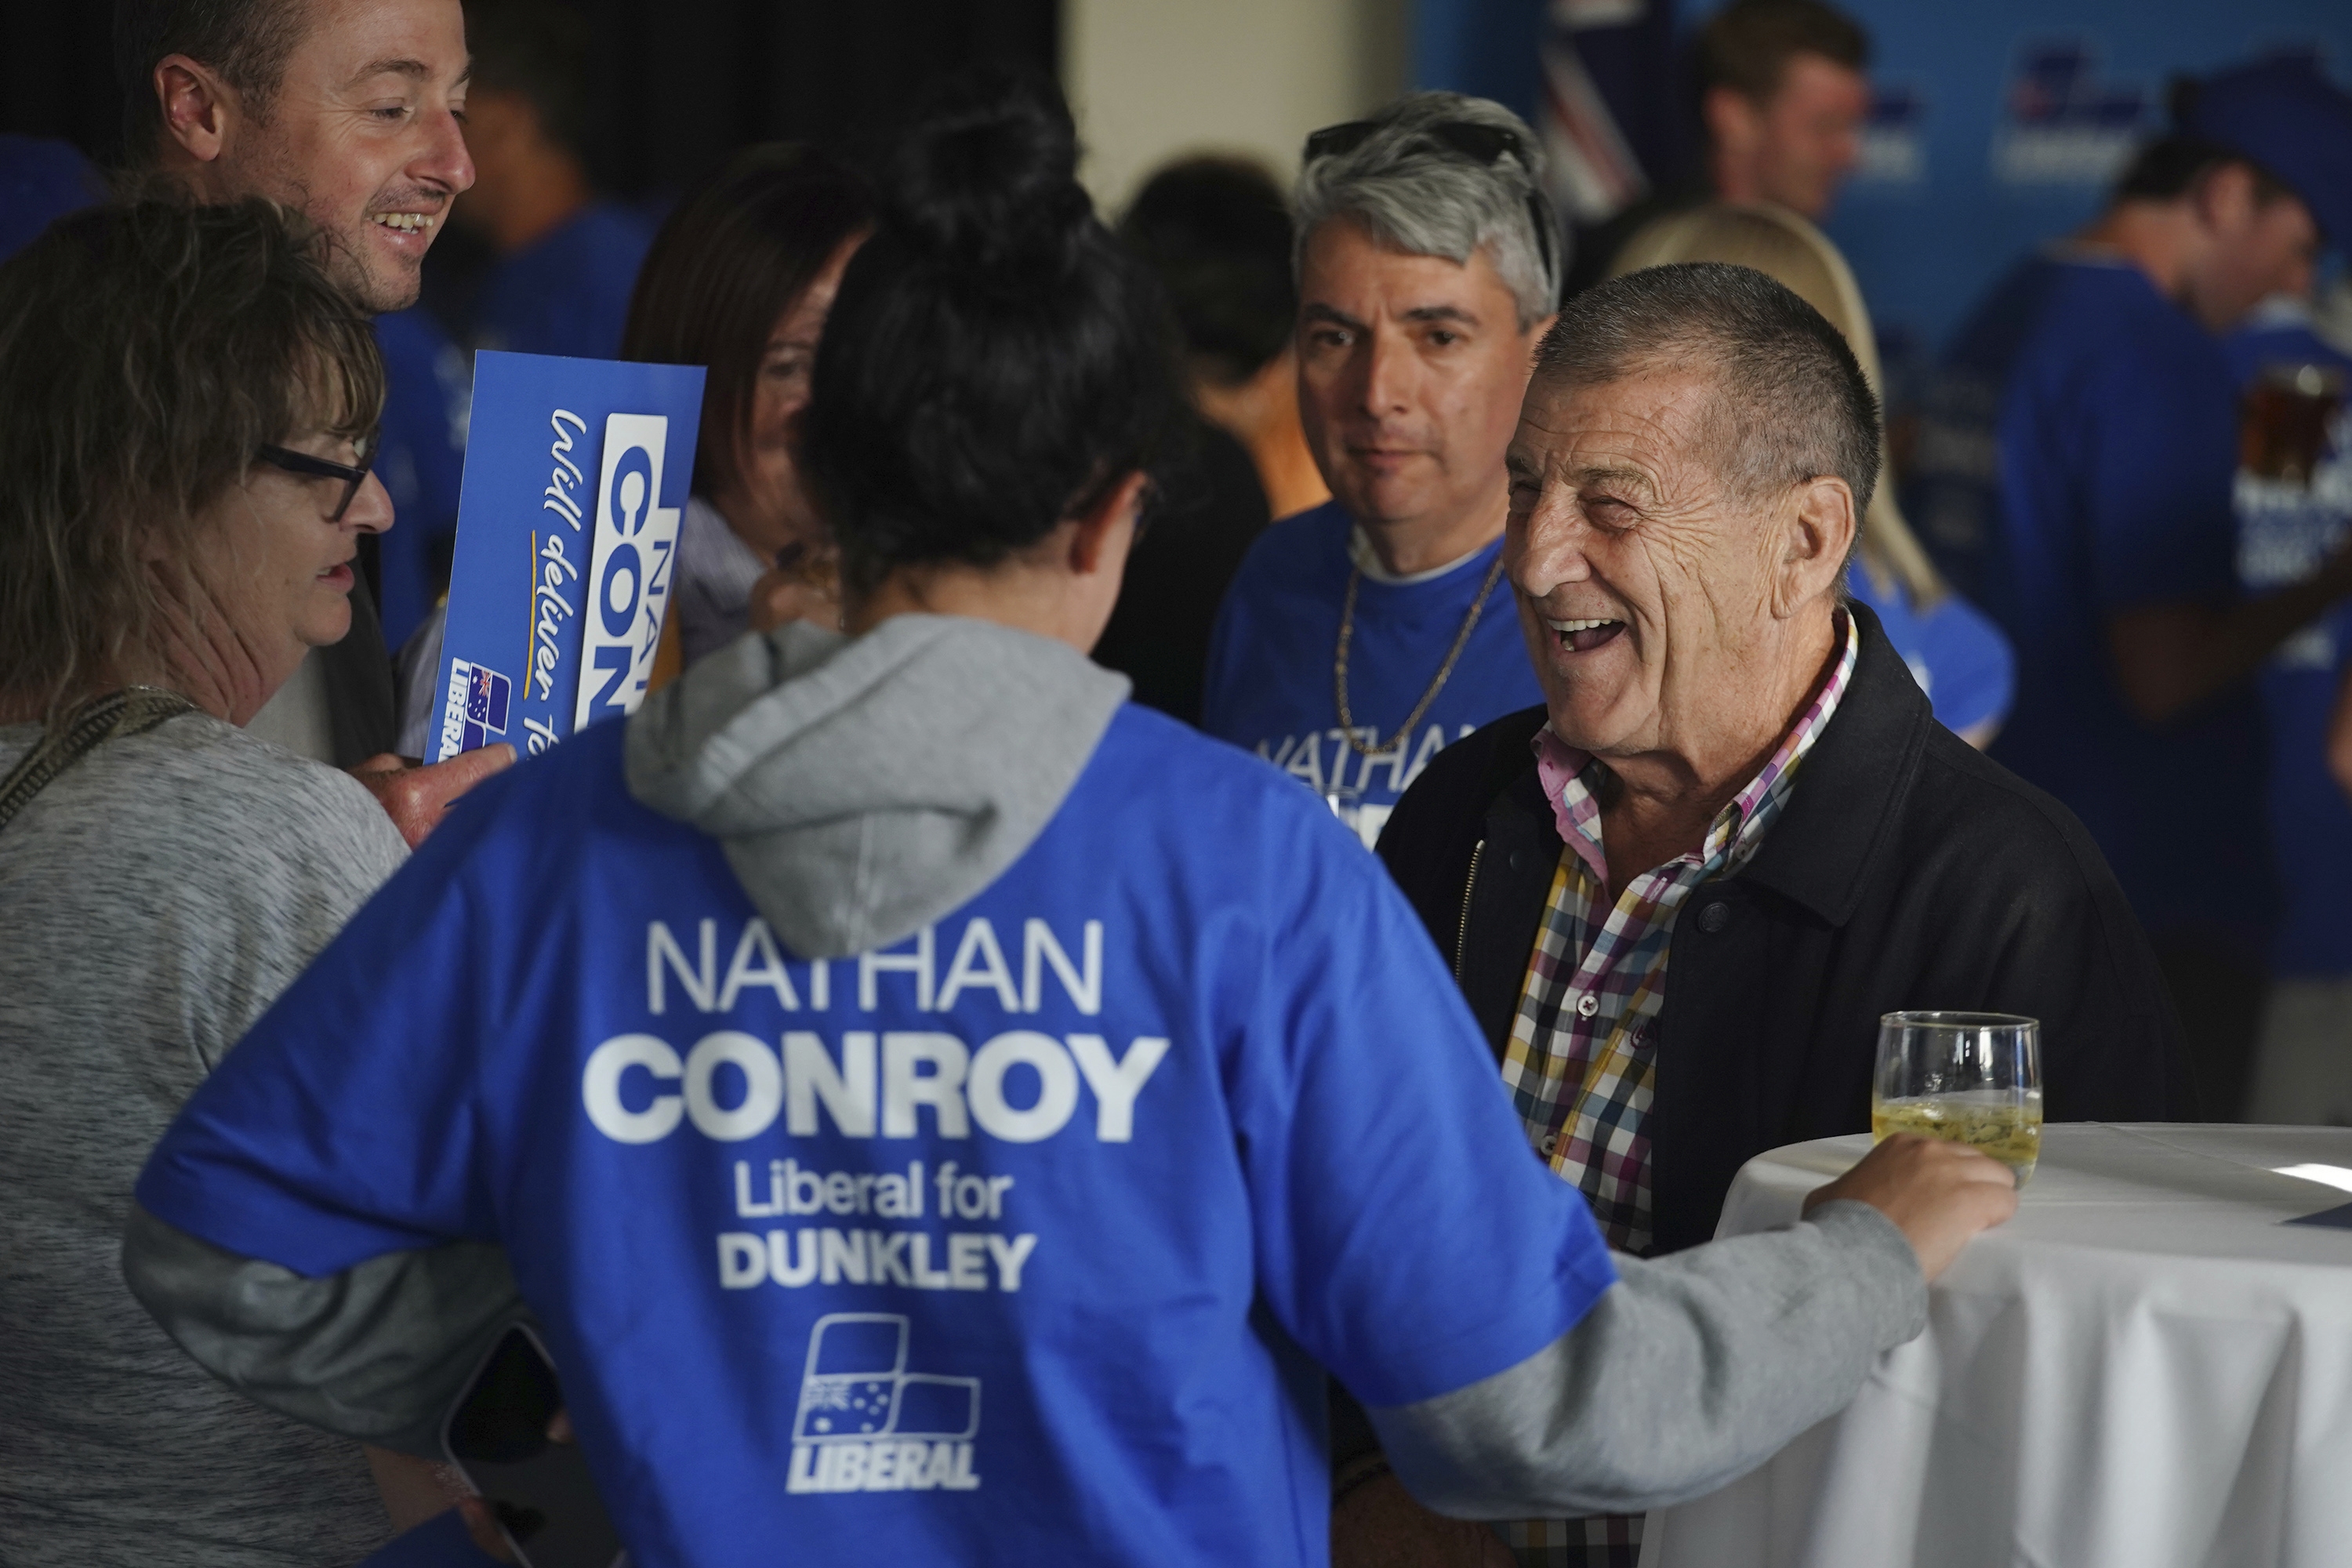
point(937, 1111)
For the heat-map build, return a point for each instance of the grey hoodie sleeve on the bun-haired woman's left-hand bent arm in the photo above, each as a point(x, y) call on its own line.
point(377, 1353)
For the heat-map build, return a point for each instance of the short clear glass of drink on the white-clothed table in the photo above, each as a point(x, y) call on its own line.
point(1967, 1078)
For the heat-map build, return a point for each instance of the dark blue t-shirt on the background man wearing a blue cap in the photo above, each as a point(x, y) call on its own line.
point(2076, 462)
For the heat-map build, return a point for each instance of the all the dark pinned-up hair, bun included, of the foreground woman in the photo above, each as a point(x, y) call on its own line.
point(996, 361)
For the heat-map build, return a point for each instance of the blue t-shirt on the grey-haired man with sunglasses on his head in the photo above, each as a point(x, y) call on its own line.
point(1276, 643)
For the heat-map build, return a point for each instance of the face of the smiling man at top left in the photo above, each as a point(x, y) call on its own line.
point(366, 138)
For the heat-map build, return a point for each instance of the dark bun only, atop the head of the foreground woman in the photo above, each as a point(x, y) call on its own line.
point(989, 175)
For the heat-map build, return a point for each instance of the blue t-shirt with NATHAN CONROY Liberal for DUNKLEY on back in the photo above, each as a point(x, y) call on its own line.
point(1022, 1242)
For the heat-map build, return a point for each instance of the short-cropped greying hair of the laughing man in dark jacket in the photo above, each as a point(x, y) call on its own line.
point(1791, 403)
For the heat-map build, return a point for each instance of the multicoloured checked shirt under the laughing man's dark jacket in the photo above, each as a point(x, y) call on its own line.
point(1584, 1045)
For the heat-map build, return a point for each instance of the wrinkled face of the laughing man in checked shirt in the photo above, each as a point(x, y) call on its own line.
point(1643, 584)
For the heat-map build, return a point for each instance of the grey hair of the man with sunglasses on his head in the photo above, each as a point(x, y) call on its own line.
point(1424, 199)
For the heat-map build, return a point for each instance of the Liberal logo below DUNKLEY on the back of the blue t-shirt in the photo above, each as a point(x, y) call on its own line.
point(869, 1426)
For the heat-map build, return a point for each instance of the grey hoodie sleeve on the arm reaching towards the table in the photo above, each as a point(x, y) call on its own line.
point(1688, 1374)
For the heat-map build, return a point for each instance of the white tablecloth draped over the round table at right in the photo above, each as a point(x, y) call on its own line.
point(2144, 1369)
